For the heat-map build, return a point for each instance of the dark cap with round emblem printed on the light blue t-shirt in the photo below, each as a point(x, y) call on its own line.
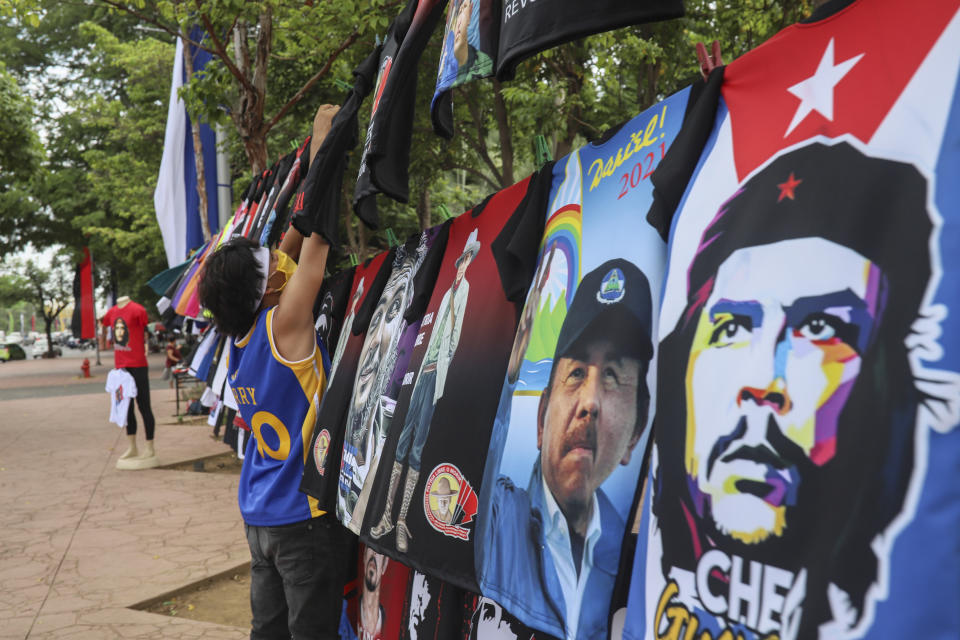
point(613, 302)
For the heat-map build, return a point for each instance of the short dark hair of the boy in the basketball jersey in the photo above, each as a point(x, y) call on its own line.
point(230, 286)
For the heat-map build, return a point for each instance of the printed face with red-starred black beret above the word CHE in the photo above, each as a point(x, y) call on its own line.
point(792, 381)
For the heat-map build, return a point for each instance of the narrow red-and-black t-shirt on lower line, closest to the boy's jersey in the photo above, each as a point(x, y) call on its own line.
point(326, 444)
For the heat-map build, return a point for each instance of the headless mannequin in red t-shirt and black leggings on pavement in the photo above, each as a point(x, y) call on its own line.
point(129, 322)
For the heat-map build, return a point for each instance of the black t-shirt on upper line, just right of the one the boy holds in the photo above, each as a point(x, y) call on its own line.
point(387, 152)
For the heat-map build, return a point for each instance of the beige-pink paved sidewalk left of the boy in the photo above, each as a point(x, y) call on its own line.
point(81, 541)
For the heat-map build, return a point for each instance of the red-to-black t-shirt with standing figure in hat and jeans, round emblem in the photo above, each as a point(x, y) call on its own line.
point(424, 503)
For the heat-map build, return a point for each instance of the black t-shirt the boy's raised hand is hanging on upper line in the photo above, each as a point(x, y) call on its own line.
point(318, 210)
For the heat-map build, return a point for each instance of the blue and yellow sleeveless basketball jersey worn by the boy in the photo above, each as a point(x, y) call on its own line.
point(279, 400)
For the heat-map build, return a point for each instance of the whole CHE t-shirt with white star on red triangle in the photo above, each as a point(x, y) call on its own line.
point(806, 440)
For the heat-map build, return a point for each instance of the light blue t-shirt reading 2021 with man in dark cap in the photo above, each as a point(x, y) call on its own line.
point(571, 429)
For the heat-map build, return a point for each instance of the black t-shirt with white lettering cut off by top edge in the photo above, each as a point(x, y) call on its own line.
point(528, 27)
